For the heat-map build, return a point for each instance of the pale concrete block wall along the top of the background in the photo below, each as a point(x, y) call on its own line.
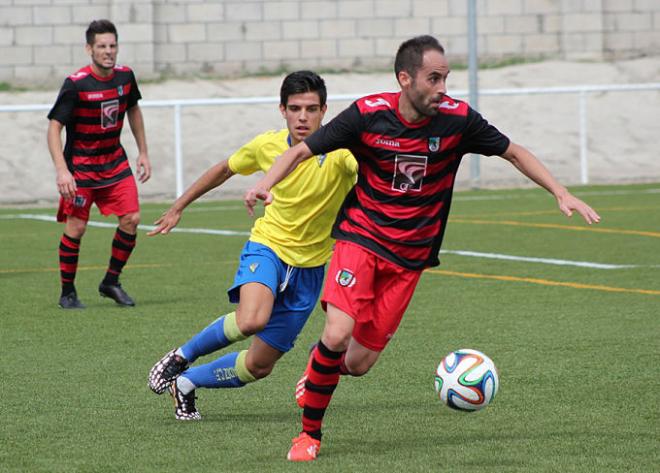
point(41, 41)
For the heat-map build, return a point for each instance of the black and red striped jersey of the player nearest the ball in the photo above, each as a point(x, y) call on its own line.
point(398, 209)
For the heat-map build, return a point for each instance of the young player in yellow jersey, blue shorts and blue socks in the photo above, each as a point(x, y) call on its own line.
point(281, 268)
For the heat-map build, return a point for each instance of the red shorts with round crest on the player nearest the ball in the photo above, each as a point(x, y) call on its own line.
point(370, 289)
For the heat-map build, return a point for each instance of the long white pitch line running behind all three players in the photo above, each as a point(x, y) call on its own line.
point(474, 254)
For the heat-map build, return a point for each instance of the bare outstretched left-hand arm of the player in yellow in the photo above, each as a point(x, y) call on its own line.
point(212, 178)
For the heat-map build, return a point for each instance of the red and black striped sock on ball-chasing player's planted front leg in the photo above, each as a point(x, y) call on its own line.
point(321, 383)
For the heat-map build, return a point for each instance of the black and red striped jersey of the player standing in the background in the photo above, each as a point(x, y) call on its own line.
point(92, 108)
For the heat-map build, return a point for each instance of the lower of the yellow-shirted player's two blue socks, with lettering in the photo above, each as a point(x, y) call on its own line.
point(228, 371)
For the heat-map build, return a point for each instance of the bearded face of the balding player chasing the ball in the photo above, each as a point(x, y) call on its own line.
point(428, 87)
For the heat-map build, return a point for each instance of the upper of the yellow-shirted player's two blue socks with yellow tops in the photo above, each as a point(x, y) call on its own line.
point(224, 331)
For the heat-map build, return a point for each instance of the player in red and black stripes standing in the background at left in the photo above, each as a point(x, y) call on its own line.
point(93, 167)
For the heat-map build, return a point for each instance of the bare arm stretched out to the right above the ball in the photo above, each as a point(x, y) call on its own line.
point(531, 167)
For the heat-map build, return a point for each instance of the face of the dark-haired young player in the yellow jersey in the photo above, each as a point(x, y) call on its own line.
point(303, 114)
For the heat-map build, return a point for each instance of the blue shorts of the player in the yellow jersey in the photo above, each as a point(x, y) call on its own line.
point(296, 292)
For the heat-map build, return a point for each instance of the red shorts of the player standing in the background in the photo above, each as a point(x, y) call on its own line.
point(119, 199)
